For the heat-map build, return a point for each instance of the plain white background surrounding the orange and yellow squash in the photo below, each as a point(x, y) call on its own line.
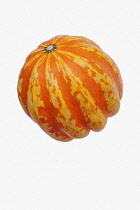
point(101, 171)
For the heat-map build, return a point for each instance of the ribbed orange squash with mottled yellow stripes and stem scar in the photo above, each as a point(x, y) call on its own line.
point(69, 86)
